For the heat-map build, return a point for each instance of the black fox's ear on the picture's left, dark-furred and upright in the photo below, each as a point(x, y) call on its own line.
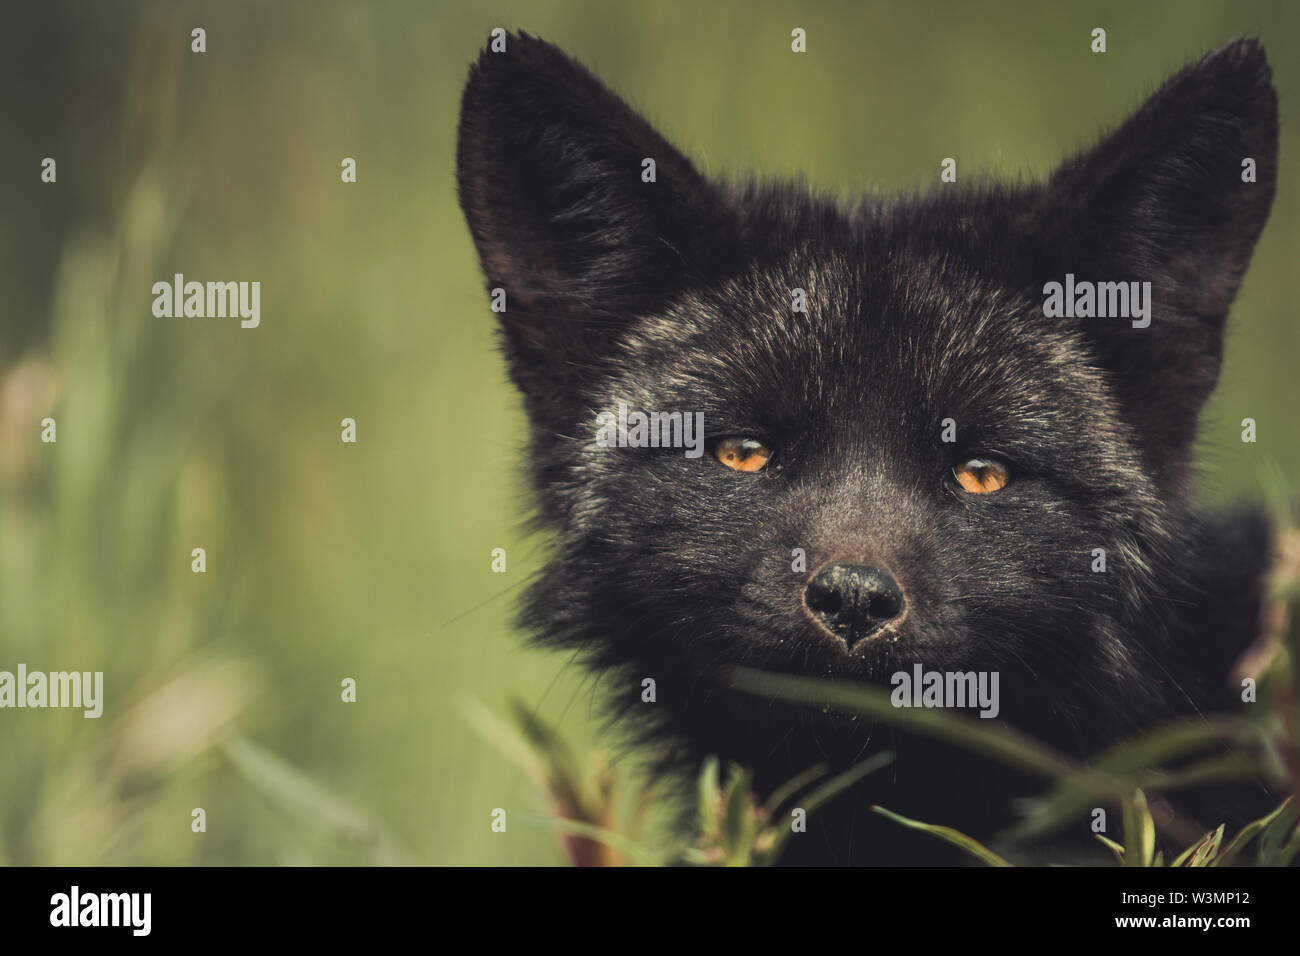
point(556, 180)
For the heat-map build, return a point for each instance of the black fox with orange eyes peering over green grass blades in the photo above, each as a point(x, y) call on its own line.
point(909, 458)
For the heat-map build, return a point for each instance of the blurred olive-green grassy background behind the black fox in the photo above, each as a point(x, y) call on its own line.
point(372, 561)
